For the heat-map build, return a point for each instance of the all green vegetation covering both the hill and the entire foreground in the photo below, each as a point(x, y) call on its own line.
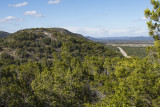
point(79, 73)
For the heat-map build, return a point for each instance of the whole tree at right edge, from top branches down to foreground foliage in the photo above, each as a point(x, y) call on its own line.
point(154, 29)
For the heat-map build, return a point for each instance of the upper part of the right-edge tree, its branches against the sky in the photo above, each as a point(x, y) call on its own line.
point(154, 21)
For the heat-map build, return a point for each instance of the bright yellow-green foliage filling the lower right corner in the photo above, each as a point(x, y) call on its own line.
point(132, 82)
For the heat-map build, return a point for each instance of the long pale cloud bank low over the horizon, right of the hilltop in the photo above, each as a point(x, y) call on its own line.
point(105, 32)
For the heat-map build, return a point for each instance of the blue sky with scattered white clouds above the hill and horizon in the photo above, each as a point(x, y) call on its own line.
point(95, 18)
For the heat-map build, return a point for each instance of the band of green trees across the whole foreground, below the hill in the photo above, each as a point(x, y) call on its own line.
point(70, 82)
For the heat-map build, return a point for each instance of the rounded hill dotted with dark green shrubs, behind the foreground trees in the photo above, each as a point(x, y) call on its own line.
point(39, 44)
